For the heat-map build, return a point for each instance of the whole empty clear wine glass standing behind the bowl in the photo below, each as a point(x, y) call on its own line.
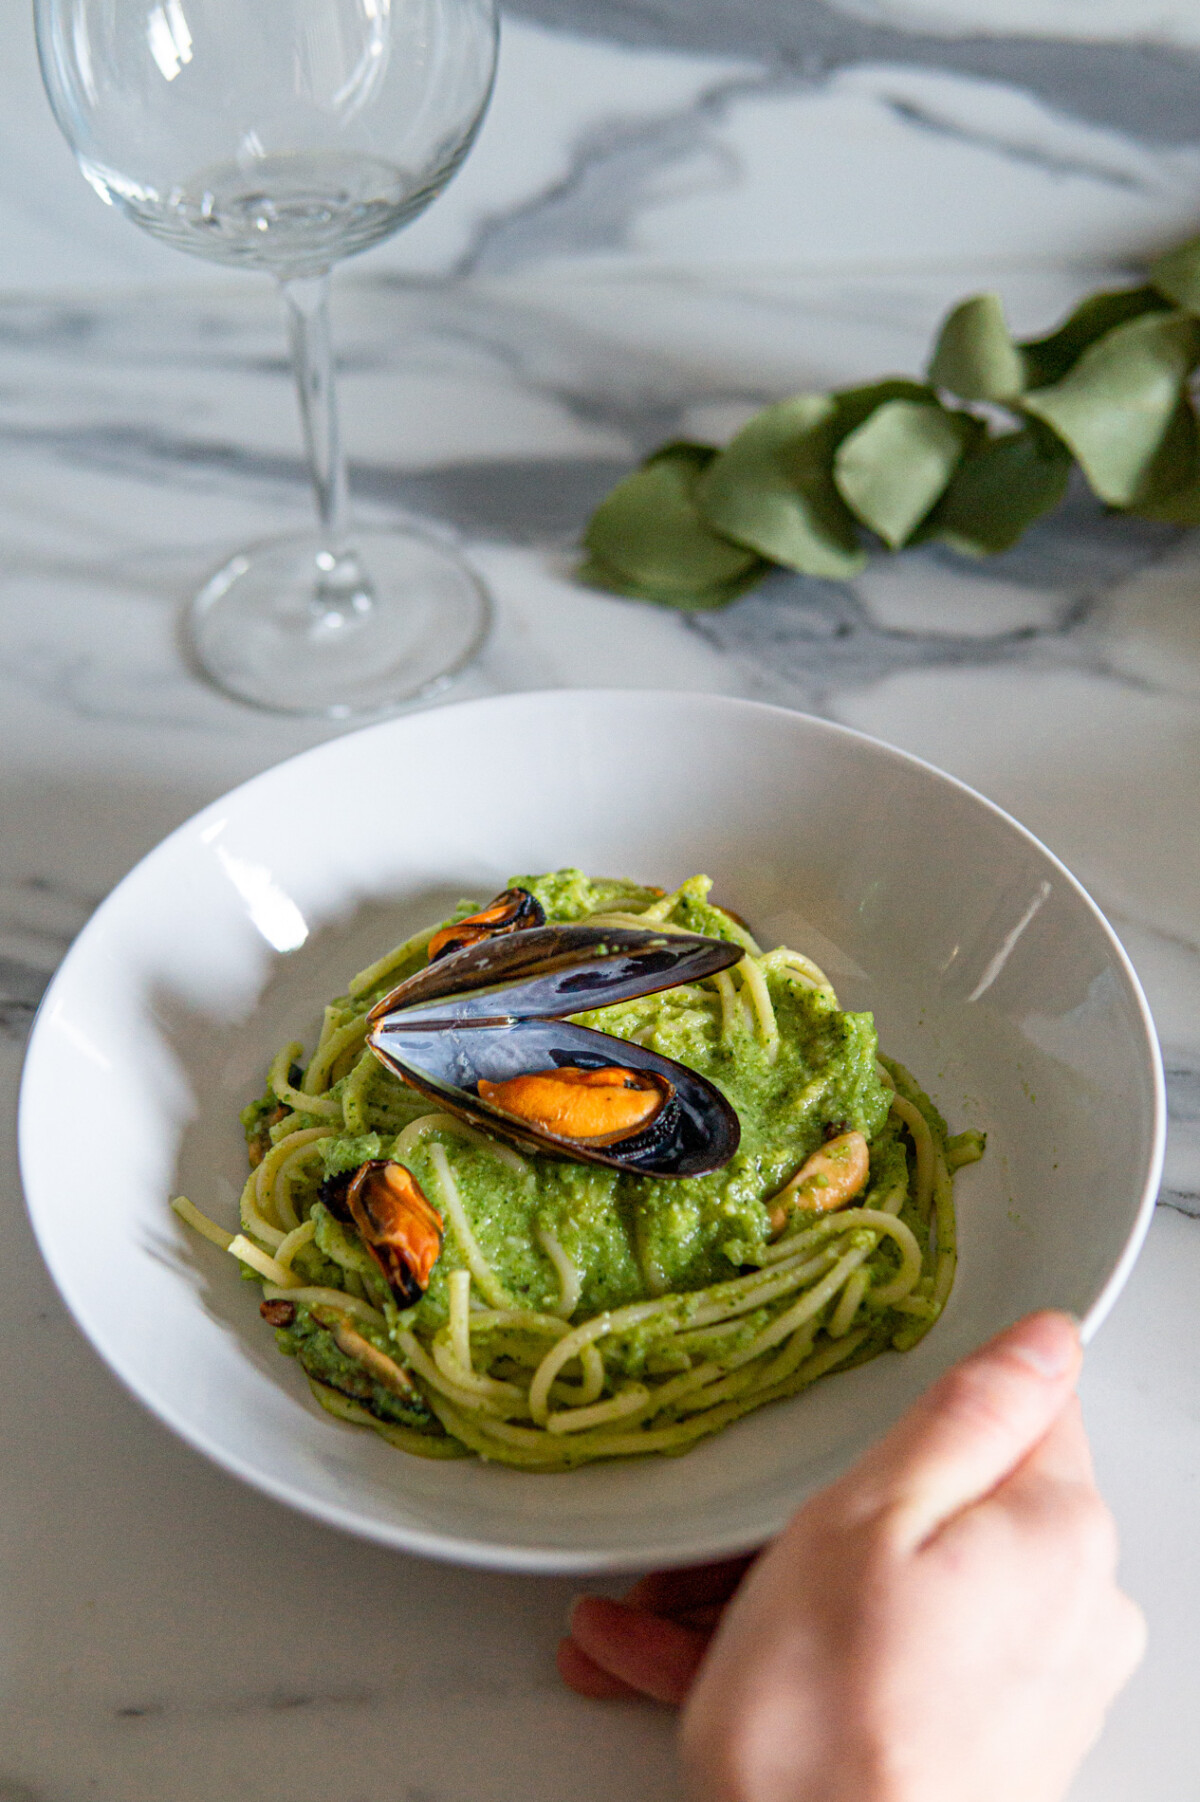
point(284, 136)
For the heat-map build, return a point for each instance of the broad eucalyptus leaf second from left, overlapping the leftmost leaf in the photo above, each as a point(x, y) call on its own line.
point(772, 489)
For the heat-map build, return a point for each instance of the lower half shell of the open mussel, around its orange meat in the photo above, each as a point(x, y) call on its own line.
point(693, 1133)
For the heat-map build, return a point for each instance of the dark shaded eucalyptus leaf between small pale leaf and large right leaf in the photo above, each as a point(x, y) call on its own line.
point(999, 489)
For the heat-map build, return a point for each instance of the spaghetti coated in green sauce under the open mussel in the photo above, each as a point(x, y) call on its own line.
point(579, 1313)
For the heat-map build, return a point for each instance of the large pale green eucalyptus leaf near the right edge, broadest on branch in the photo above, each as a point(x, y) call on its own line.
point(1114, 410)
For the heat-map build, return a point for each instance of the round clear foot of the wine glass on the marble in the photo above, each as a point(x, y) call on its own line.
point(266, 632)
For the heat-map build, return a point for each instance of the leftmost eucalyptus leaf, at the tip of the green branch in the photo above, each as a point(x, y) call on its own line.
point(651, 536)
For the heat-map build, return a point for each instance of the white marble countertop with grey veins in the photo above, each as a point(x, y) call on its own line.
point(165, 1632)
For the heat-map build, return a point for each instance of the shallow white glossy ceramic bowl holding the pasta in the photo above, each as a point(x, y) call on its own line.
point(988, 969)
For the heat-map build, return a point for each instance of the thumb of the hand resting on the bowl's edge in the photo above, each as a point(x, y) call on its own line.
point(970, 1432)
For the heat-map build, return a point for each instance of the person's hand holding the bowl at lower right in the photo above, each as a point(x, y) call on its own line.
point(943, 1623)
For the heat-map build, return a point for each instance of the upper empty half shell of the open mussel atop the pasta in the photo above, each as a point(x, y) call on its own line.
point(547, 972)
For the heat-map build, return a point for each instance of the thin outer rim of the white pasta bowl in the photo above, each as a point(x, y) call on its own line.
point(450, 1547)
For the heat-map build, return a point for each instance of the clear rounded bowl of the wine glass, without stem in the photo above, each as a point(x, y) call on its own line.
point(286, 141)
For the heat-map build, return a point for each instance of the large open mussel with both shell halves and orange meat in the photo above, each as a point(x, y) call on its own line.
point(482, 1032)
